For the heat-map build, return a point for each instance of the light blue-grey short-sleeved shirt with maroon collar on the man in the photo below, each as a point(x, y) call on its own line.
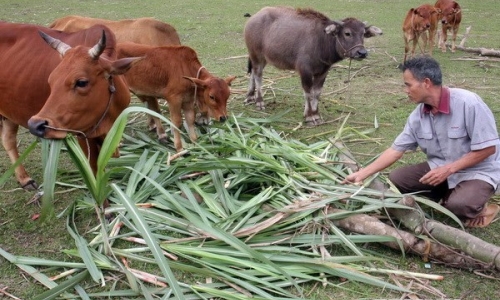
point(463, 123)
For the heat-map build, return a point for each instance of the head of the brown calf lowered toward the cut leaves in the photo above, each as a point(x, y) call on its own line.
point(215, 94)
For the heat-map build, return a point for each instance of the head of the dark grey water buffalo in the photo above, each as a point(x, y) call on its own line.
point(349, 37)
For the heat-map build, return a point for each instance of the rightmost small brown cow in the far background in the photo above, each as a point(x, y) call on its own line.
point(450, 16)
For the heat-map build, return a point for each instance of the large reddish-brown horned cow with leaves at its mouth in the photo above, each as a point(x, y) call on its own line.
point(84, 95)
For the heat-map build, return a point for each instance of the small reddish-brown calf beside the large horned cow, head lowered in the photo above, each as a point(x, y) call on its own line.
point(175, 74)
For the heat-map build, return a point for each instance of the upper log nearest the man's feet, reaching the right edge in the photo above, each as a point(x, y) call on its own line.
point(464, 242)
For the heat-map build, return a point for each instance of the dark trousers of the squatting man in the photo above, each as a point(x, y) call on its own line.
point(466, 200)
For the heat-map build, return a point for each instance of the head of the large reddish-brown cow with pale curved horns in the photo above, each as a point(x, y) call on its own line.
point(85, 96)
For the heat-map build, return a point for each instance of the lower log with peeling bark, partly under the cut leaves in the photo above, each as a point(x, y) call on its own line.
point(426, 248)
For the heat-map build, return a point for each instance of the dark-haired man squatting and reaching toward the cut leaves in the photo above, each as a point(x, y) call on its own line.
point(457, 132)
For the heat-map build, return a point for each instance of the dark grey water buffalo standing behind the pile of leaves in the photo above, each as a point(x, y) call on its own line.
point(303, 40)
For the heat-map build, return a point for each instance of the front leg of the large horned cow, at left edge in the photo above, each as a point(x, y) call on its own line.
point(8, 131)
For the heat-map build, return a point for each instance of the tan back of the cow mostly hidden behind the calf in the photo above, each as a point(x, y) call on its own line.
point(147, 31)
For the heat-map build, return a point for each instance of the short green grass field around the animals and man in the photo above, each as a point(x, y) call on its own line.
point(215, 30)
